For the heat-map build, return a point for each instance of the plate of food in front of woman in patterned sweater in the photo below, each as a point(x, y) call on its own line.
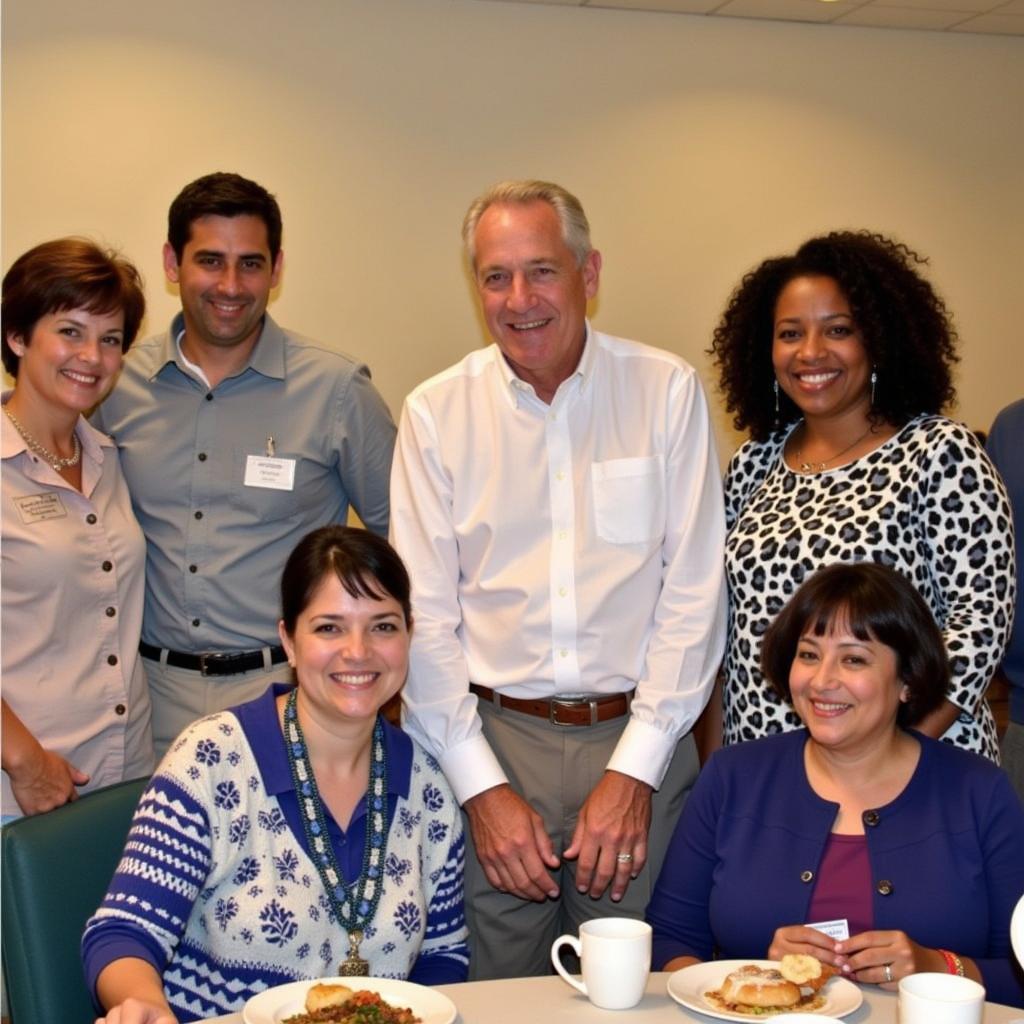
point(350, 1001)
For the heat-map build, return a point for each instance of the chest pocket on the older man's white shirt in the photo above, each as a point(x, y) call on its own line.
point(629, 499)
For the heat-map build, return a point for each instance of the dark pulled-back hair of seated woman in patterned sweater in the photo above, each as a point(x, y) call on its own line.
point(364, 563)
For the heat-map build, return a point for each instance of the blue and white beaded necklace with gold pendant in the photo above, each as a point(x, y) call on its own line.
point(367, 889)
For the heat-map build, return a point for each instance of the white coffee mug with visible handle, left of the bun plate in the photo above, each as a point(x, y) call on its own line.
point(616, 957)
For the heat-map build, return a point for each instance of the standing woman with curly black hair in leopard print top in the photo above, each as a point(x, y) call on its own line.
point(838, 362)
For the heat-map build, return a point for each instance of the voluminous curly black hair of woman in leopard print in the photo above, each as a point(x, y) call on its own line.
point(907, 329)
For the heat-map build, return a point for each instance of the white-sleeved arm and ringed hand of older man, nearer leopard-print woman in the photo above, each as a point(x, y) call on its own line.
point(684, 655)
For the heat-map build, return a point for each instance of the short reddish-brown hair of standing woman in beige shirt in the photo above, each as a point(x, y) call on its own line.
point(64, 275)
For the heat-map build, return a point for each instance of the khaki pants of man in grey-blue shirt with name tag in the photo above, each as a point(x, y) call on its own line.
point(180, 697)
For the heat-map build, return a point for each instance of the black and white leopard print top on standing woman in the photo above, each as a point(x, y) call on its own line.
point(928, 503)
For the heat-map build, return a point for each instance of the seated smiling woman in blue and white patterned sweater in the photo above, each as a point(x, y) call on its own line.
point(298, 836)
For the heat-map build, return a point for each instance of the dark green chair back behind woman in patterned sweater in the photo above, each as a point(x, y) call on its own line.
point(56, 871)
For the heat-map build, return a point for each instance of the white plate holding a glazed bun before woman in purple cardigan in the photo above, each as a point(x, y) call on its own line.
point(740, 991)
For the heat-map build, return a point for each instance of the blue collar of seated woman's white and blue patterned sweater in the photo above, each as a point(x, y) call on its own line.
point(263, 729)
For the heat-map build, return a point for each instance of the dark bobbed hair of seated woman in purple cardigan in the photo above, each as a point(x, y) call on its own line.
point(874, 603)
